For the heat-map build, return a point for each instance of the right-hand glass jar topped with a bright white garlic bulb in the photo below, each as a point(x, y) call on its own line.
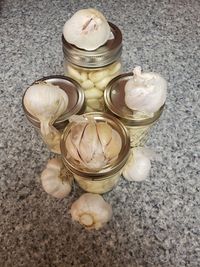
point(137, 99)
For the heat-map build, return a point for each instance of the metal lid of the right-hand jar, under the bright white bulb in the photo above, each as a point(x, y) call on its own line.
point(114, 99)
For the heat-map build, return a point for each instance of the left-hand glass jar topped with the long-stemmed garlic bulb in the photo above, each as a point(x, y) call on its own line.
point(48, 103)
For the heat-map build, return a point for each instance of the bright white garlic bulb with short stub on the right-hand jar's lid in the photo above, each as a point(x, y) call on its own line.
point(145, 92)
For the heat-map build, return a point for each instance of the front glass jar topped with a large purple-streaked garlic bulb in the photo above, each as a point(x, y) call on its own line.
point(95, 147)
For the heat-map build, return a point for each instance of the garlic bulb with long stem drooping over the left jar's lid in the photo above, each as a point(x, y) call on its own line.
point(47, 102)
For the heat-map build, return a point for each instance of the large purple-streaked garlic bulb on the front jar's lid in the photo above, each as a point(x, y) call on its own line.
point(93, 144)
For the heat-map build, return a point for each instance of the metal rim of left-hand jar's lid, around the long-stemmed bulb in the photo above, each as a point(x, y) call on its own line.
point(56, 80)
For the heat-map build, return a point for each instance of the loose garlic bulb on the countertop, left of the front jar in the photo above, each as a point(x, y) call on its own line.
point(55, 179)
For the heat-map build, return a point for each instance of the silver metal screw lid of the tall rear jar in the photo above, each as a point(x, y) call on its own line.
point(102, 56)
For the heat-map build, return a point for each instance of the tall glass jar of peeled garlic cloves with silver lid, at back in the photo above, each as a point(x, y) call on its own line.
point(94, 69)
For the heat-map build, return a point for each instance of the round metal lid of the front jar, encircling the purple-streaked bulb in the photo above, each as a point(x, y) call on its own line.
point(110, 169)
